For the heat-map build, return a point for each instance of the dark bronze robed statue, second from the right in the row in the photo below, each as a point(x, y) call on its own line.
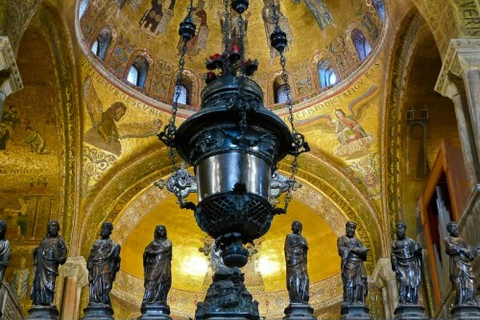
point(407, 265)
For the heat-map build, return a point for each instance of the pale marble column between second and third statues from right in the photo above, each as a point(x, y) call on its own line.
point(384, 278)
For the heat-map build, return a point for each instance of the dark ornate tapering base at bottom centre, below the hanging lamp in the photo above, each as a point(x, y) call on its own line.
point(227, 298)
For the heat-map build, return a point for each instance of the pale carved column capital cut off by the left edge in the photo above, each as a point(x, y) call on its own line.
point(10, 80)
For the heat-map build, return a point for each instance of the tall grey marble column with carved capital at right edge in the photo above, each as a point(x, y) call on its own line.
point(459, 80)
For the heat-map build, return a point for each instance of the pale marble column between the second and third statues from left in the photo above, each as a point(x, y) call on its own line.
point(74, 274)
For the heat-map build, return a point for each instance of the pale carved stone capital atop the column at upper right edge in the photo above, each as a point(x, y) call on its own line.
point(462, 54)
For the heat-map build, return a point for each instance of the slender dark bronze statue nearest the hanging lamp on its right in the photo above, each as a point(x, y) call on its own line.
point(296, 258)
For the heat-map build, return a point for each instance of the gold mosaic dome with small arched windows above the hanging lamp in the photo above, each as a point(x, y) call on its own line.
point(316, 30)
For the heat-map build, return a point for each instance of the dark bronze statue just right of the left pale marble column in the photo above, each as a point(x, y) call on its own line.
point(103, 264)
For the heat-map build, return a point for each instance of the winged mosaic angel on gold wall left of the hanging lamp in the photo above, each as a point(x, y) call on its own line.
point(106, 133)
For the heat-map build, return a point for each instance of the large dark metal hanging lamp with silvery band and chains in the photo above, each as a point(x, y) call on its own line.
point(234, 144)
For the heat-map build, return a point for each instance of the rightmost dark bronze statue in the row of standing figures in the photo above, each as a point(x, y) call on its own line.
point(461, 259)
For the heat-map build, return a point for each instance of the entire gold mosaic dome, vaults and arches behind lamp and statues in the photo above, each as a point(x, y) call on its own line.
point(78, 144)
